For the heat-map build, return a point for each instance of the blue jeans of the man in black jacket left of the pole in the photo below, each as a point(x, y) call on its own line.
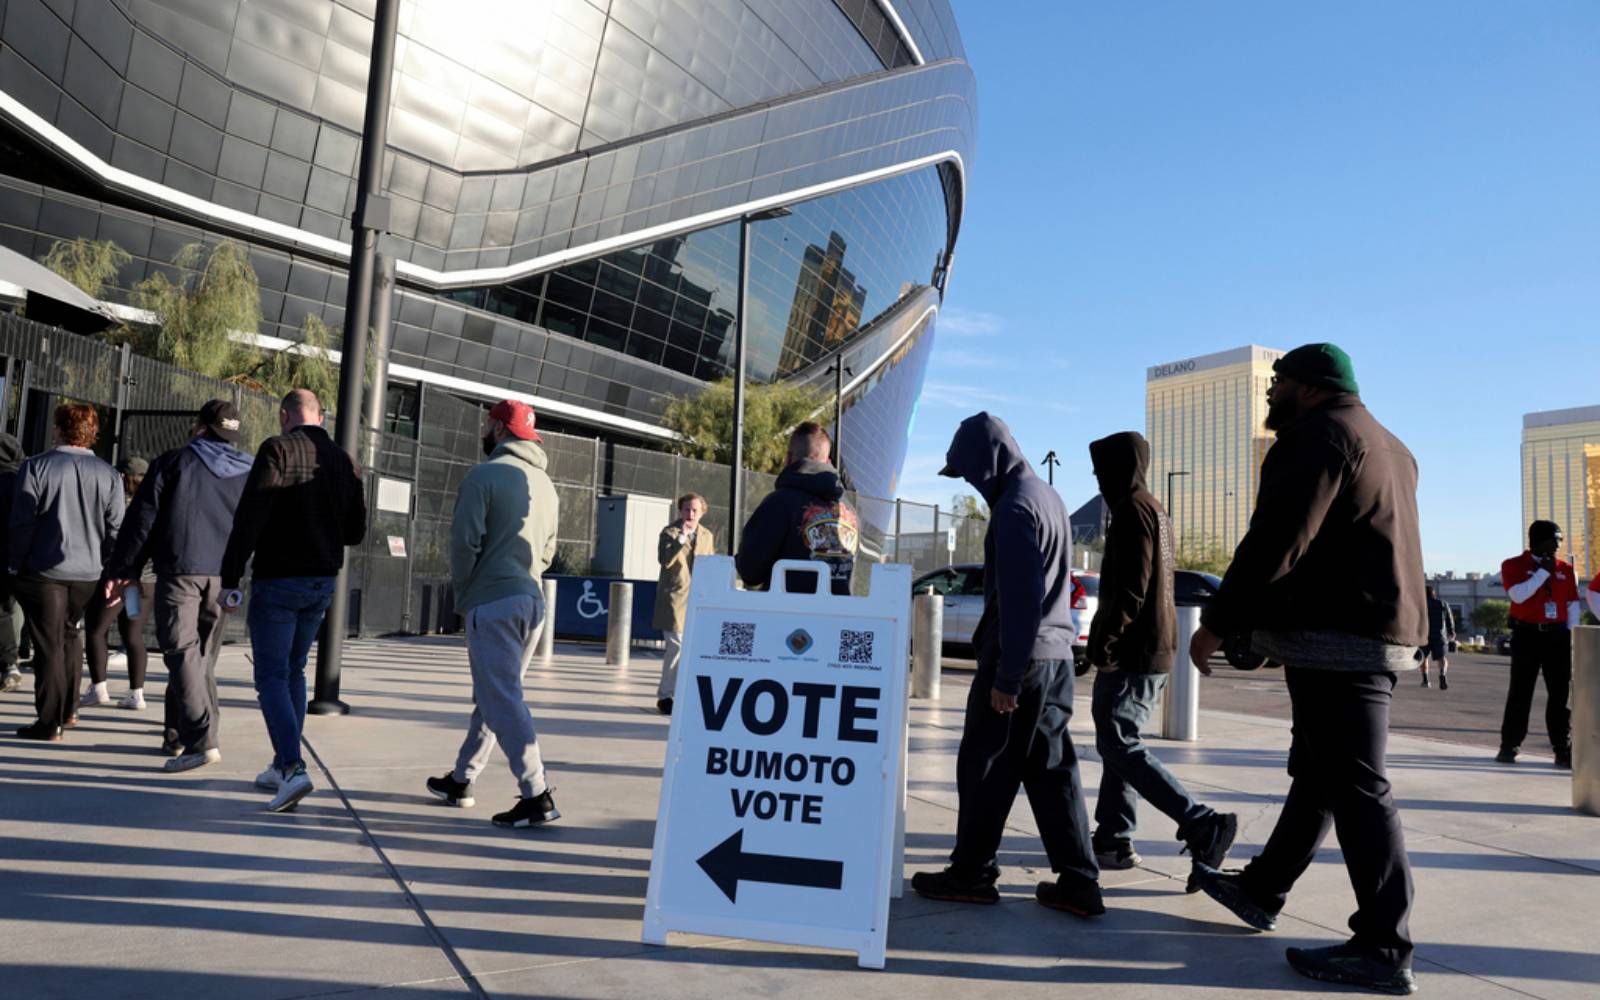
point(284, 620)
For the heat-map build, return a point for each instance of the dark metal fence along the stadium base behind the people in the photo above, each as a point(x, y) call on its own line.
point(401, 574)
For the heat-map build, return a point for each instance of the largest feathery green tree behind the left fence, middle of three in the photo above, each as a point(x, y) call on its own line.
point(199, 316)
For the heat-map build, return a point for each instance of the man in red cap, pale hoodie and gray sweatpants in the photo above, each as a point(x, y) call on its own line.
point(502, 540)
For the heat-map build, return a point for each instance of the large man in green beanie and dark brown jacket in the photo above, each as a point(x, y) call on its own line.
point(1329, 582)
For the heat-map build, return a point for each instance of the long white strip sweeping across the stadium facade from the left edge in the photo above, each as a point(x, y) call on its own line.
point(426, 276)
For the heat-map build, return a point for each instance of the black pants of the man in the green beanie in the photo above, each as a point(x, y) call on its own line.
point(1337, 761)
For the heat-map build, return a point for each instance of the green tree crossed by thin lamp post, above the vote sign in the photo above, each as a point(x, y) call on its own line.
point(705, 422)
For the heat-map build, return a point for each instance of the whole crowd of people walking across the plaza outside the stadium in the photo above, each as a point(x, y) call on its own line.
point(1327, 582)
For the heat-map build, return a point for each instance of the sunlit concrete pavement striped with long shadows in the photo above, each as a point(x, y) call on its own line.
point(119, 881)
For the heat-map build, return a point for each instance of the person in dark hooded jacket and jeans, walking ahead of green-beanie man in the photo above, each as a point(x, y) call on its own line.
point(1134, 644)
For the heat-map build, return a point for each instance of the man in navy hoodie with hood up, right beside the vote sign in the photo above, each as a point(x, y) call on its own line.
point(1022, 702)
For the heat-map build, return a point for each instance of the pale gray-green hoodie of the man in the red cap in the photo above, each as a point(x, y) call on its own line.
point(503, 534)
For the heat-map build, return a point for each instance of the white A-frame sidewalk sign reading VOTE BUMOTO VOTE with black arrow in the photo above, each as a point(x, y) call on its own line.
point(785, 764)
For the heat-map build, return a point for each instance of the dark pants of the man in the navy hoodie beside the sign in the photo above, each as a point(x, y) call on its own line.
point(1028, 748)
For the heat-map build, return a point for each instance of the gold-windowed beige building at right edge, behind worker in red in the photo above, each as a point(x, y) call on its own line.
point(1561, 479)
